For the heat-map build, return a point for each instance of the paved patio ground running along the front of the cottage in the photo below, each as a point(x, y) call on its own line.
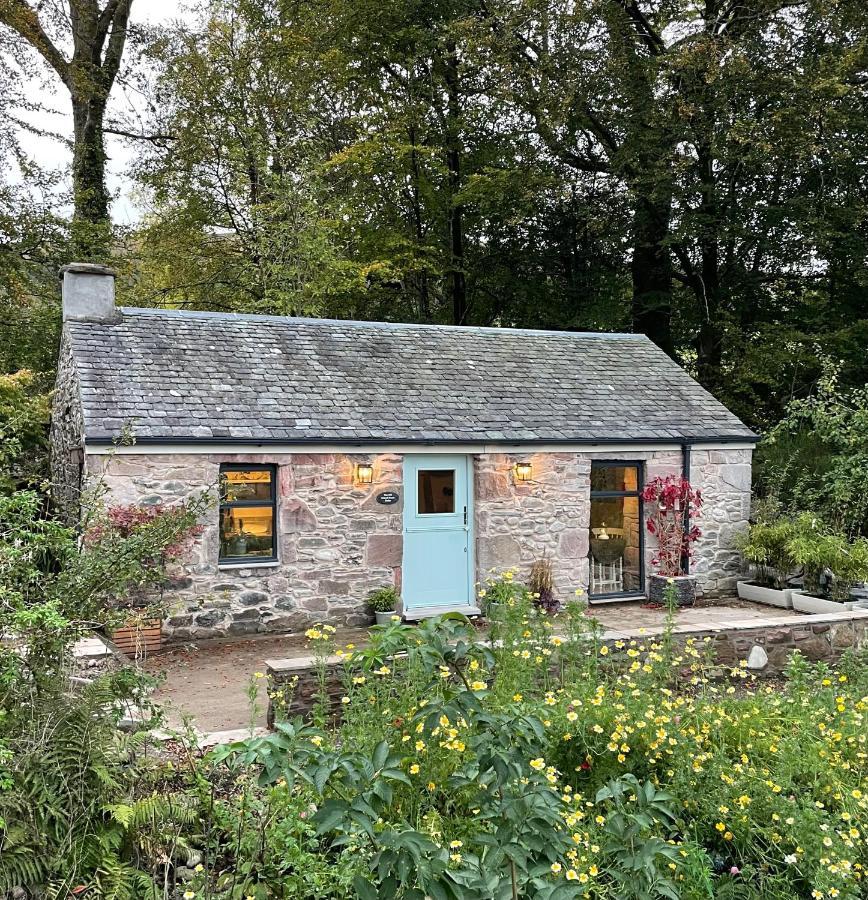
point(207, 683)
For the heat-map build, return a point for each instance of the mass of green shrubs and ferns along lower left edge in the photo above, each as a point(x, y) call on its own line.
point(73, 815)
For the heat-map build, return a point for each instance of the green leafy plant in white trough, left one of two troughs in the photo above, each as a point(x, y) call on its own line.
point(766, 546)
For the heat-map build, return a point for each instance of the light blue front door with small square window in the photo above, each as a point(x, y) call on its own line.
point(437, 567)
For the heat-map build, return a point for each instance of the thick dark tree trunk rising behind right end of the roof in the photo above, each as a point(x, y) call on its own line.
point(652, 272)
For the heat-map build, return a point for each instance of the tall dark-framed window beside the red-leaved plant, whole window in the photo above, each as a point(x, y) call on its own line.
point(617, 539)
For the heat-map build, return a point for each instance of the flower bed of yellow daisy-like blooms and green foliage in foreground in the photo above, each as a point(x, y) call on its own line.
point(552, 767)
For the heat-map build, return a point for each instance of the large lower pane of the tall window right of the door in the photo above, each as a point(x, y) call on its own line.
point(614, 545)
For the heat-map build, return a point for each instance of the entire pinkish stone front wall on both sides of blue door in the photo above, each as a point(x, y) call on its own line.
point(336, 543)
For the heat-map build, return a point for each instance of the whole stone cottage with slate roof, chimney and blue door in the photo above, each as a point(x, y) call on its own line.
point(352, 455)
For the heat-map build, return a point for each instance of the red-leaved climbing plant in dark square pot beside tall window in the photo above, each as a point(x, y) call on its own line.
point(672, 502)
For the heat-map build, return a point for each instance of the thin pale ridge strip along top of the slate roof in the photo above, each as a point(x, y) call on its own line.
point(359, 323)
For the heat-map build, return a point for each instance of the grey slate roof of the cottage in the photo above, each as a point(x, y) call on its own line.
point(189, 376)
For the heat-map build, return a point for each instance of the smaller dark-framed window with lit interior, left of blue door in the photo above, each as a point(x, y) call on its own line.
point(248, 511)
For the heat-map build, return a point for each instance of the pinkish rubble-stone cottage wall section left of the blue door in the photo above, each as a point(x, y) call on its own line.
point(336, 543)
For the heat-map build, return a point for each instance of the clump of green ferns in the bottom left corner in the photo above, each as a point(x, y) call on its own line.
point(70, 812)
